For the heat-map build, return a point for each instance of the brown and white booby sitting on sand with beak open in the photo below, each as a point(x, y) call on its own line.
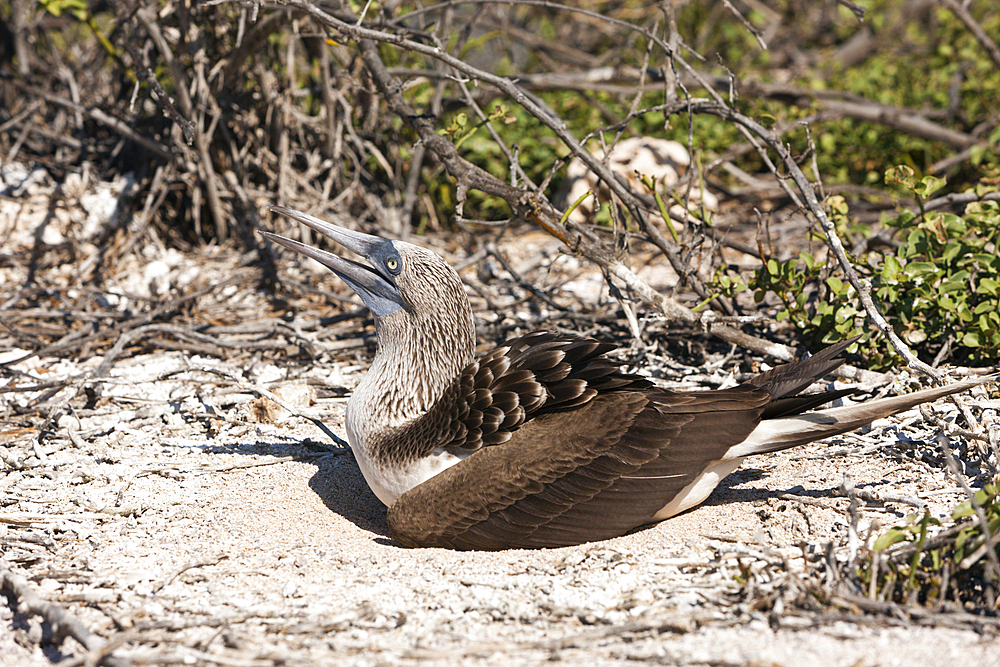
point(545, 441)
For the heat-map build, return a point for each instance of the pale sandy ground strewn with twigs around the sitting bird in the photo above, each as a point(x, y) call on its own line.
point(293, 564)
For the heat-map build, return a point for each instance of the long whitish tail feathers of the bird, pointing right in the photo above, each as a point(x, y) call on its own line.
point(776, 434)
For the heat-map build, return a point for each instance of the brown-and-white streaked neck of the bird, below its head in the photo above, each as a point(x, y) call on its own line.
point(418, 357)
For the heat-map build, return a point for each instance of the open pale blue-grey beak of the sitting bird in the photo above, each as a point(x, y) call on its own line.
point(376, 289)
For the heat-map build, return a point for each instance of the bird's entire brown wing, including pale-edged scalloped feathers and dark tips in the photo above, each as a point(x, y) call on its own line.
point(591, 452)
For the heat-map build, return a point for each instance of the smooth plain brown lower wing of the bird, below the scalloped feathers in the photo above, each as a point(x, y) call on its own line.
point(572, 477)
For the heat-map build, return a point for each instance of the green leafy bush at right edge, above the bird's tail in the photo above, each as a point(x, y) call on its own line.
point(940, 287)
